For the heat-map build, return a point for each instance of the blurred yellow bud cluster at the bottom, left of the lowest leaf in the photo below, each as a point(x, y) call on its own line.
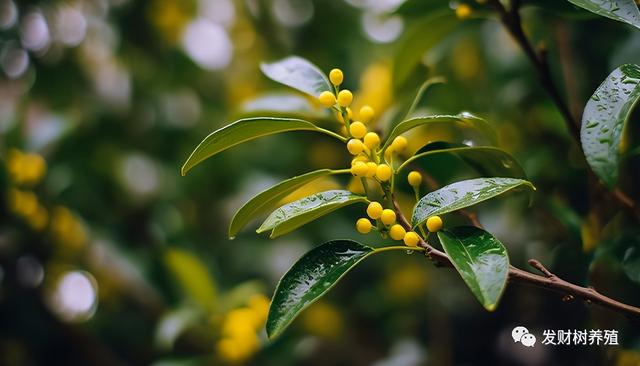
point(240, 329)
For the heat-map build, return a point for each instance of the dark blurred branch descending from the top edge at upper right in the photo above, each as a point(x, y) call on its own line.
point(511, 20)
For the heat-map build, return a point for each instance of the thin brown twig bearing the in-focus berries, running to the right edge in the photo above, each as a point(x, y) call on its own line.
point(549, 281)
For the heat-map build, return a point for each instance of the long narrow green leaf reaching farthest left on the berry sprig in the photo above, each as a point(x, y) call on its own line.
point(245, 130)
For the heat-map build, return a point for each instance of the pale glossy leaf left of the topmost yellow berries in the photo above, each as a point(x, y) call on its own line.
point(299, 74)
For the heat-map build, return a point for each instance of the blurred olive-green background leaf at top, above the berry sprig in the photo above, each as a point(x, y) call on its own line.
point(419, 38)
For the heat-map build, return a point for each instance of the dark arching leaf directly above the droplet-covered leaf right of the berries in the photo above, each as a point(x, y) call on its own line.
point(487, 160)
